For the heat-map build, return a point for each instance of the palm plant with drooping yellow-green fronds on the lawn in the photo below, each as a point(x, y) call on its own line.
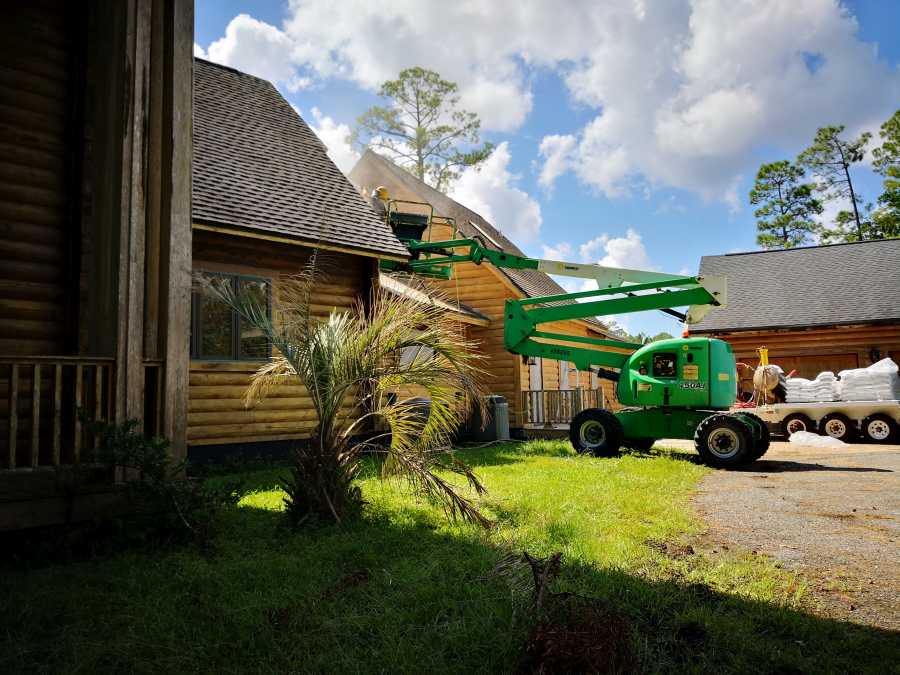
point(356, 365)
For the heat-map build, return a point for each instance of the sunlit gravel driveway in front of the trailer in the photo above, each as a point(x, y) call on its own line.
point(831, 514)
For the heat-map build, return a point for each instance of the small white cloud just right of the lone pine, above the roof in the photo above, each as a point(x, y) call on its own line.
point(491, 191)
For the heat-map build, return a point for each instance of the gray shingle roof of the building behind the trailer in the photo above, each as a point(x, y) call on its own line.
point(807, 287)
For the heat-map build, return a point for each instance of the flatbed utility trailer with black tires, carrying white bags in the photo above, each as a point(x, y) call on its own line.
point(874, 421)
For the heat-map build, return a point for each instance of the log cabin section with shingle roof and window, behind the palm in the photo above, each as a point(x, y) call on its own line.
point(265, 196)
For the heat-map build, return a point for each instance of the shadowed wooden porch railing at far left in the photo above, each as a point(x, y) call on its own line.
point(41, 397)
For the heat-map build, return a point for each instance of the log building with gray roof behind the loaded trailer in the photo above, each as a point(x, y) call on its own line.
point(815, 308)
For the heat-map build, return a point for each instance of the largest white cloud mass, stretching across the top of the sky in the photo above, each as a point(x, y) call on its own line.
point(684, 92)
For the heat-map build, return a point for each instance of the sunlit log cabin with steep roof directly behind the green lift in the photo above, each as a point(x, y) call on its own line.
point(539, 392)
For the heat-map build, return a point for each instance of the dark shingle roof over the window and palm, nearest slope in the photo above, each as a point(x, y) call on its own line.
point(258, 166)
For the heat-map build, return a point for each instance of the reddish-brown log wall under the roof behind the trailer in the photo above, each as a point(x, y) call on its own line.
point(815, 350)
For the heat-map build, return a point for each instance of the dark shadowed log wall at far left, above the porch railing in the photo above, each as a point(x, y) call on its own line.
point(38, 54)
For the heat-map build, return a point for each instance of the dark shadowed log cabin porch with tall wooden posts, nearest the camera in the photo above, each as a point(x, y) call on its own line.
point(95, 157)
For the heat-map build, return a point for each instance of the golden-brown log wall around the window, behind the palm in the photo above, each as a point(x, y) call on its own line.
point(217, 414)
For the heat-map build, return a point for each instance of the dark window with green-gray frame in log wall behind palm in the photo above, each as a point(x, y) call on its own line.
point(218, 333)
